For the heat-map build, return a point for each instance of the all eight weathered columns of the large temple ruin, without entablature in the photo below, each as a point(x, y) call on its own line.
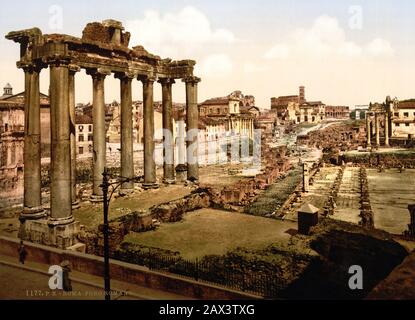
point(63, 144)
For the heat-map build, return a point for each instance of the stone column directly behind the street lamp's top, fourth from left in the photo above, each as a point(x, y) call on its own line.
point(99, 141)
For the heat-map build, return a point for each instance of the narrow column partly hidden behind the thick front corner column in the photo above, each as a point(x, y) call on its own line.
point(73, 69)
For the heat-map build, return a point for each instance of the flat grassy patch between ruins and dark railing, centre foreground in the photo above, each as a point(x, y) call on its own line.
point(207, 231)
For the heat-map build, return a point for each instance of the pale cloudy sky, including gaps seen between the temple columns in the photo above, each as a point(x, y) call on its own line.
point(344, 52)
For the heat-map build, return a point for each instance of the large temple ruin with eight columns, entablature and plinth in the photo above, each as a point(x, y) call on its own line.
point(102, 50)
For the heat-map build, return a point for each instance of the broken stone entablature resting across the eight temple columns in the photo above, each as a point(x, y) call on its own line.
point(98, 48)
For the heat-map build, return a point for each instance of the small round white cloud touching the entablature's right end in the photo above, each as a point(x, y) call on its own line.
point(215, 66)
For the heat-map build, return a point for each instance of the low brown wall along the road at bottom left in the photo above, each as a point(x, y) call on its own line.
point(121, 271)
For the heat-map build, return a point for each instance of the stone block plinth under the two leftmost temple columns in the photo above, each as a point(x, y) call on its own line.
point(60, 233)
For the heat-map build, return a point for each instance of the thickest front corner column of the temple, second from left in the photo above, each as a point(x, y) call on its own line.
point(61, 186)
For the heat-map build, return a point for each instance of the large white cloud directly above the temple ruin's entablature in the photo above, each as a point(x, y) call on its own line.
point(177, 34)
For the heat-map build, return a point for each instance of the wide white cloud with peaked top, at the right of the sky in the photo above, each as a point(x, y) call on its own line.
point(326, 38)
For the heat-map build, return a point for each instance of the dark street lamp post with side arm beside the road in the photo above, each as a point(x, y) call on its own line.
point(107, 199)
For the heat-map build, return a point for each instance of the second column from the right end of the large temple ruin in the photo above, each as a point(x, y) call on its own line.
point(168, 145)
